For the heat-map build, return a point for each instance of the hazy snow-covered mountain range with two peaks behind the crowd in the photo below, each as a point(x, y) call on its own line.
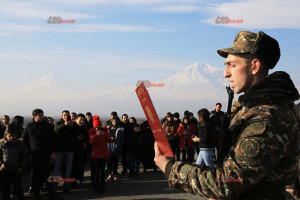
point(198, 86)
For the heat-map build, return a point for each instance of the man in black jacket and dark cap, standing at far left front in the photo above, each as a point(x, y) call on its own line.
point(40, 139)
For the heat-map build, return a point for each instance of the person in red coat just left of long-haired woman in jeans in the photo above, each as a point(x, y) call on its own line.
point(185, 132)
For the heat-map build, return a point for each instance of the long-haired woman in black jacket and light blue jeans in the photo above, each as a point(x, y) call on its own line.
point(206, 139)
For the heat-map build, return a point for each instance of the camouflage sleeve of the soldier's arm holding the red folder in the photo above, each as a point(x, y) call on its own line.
point(256, 150)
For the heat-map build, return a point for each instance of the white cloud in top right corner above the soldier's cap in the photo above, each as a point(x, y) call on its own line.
point(268, 14)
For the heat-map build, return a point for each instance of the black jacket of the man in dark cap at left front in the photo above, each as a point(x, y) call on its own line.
point(40, 140)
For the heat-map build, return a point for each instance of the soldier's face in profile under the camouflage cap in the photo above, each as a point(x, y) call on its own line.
point(239, 73)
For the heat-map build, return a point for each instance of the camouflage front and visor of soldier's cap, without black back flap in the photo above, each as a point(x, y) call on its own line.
point(244, 42)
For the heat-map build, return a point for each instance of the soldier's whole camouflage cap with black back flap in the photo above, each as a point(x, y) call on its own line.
point(259, 44)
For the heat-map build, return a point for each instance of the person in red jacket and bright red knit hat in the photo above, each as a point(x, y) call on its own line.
point(99, 137)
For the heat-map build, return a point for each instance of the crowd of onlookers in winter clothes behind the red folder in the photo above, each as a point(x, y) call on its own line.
point(59, 151)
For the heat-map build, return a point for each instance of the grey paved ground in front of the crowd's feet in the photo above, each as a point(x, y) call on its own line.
point(151, 185)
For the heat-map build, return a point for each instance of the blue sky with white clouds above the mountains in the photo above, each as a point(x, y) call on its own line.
point(117, 42)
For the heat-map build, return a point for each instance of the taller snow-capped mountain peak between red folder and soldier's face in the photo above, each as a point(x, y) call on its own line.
point(198, 81)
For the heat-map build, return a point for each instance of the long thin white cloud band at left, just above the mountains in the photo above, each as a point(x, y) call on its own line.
point(56, 59)
